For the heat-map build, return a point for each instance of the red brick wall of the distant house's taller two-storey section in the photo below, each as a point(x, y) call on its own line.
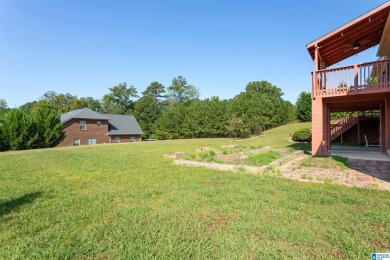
point(72, 131)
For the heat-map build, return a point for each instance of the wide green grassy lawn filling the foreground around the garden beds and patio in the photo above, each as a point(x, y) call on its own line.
point(127, 201)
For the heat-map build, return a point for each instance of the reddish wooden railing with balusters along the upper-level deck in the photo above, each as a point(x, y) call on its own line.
point(371, 76)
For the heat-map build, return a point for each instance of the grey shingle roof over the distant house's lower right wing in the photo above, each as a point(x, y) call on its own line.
point(123, 125)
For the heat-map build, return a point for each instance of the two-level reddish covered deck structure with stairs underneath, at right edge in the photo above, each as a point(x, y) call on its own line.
point(355, 89)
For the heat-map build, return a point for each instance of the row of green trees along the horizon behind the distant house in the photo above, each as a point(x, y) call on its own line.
point(163, 112)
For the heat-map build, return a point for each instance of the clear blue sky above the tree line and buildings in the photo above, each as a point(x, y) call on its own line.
point(85, 47)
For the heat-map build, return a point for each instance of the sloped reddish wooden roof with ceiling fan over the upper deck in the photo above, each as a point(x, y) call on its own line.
point(364, 32)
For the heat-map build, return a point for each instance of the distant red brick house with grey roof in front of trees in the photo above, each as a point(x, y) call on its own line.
point(87, 127)
